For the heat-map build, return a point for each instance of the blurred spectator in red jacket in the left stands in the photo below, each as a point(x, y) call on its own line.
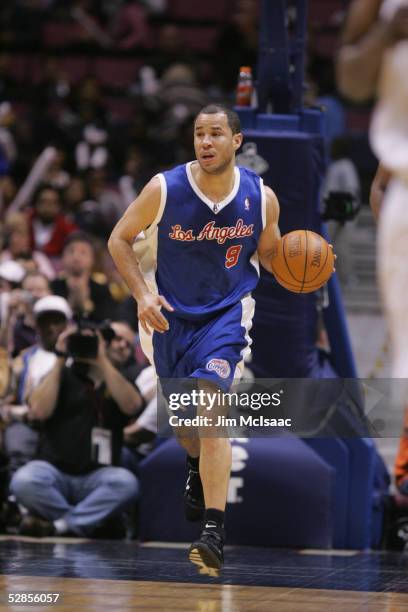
point(49, 227)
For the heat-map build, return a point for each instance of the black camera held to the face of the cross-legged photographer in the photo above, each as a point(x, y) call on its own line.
point(83, 344)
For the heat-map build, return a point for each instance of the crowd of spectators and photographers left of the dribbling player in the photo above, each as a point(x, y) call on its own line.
point(74, 428)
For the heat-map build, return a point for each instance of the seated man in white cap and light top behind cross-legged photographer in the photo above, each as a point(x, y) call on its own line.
point(52, 314)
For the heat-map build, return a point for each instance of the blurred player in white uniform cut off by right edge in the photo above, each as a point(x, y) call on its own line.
point(376, 36)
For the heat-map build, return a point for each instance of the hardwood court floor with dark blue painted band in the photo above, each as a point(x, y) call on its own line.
point(105, 575)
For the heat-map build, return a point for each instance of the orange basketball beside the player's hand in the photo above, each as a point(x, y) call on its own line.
point(303, 261)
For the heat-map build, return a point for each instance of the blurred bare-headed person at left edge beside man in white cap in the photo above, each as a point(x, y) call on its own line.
point(18, 330)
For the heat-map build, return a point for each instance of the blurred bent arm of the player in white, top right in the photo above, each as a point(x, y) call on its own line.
point(364, 40)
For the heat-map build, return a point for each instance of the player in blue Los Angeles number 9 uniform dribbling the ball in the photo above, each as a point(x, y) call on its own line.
point(205, 225)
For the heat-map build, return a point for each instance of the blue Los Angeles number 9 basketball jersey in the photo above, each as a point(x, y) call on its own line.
point(205, 253)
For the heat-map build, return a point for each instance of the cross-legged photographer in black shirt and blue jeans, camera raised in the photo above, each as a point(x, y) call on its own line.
point(83, 404)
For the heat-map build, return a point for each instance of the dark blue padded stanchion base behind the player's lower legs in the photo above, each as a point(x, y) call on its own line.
point(281, 490)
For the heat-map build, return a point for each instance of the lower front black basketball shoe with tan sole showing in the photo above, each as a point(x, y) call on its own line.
point(207, 552)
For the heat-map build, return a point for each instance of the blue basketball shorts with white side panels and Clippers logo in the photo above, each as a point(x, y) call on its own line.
point(213, 348)
